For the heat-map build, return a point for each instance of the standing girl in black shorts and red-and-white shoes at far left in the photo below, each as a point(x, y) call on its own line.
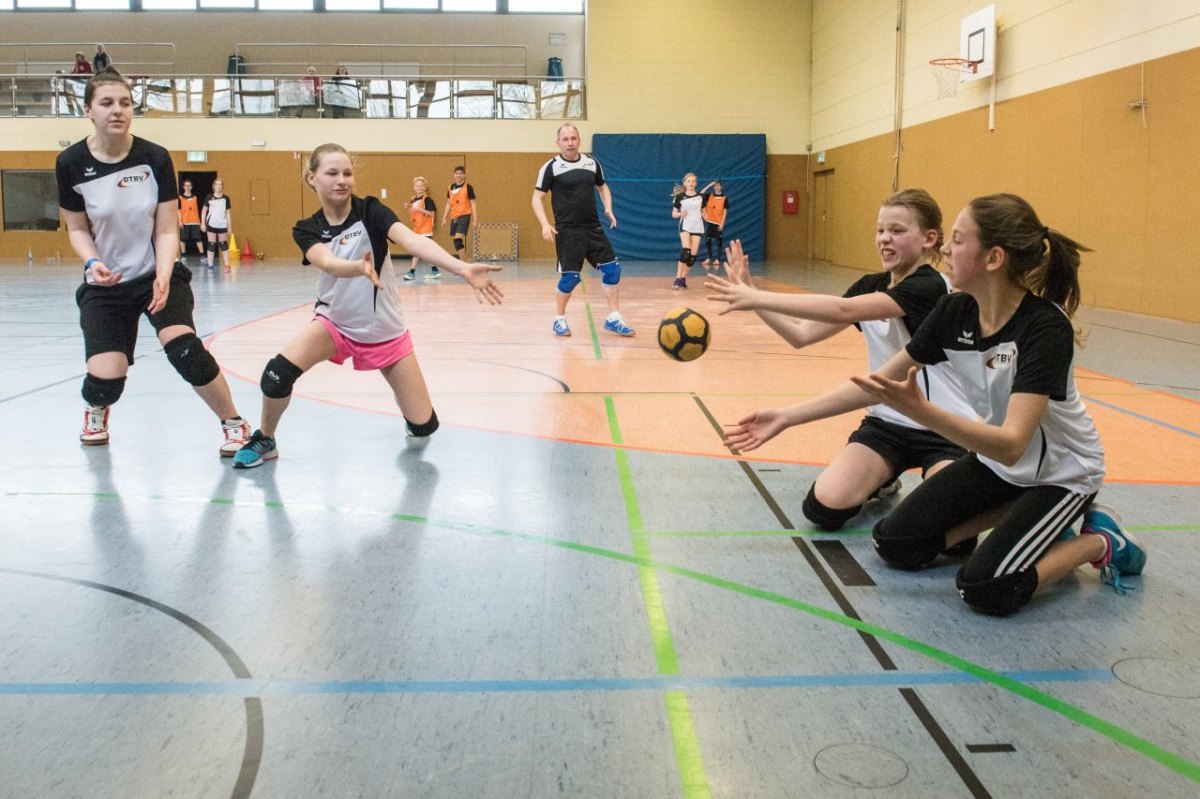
point(119, 201)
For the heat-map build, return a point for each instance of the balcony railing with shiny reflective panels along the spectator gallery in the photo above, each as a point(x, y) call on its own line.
point(344, 98)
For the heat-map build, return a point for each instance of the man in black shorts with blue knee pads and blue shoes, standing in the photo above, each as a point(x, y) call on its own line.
point(577, 233)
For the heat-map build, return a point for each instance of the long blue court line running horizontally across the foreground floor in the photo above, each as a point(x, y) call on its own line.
point(260, 688)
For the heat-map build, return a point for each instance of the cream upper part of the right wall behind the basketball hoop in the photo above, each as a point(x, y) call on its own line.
point(1042, 44)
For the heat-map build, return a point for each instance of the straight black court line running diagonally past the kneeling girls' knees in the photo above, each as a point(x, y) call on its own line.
point(927, 719)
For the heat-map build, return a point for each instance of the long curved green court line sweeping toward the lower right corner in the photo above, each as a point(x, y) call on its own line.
point(1078, 716)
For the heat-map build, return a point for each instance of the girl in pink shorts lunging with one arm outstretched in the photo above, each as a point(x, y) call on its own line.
point(358, 314)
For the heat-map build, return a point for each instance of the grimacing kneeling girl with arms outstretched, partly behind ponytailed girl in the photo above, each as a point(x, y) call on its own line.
point(887, 308)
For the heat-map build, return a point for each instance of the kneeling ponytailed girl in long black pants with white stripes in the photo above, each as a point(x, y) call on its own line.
point(1037, 462)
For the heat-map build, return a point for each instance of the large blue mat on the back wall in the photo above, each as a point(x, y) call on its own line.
point(643, 169)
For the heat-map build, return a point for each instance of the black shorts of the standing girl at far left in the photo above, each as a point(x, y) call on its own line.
point(110, 315)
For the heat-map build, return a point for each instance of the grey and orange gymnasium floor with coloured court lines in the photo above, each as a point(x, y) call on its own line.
point(573, 590)
